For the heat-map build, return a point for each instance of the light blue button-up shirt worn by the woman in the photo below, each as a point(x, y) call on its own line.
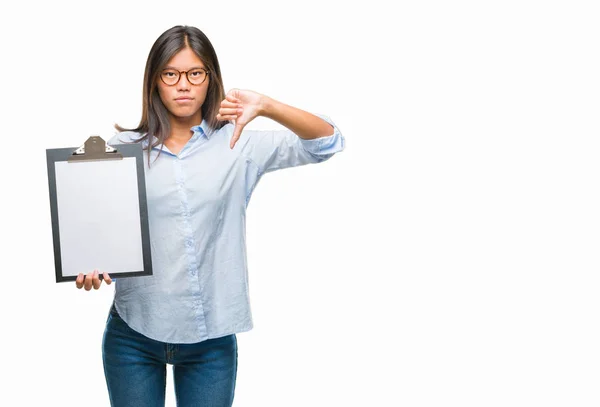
point(197, 203)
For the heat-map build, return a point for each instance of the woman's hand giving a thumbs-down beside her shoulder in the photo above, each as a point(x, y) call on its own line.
point(241, 106)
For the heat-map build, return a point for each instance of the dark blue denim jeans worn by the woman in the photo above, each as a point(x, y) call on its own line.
point(204, 373)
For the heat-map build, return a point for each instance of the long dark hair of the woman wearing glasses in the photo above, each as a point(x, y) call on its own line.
point(155, 116)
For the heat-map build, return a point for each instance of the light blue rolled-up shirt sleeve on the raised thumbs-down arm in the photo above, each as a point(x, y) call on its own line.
point(277, 149)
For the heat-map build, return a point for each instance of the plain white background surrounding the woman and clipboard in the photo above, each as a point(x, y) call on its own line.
point(448, 257)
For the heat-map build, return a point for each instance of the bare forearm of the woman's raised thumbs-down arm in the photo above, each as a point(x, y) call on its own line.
point(304, 124)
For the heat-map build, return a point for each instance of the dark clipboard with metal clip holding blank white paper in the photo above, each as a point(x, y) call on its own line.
point(99, 210)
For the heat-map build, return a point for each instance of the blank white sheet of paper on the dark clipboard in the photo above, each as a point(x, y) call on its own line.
point(99, 216)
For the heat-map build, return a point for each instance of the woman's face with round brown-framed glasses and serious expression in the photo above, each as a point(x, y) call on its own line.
point(183, 99)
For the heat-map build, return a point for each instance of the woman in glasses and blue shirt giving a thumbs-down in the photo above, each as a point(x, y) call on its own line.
point(201, 171)
